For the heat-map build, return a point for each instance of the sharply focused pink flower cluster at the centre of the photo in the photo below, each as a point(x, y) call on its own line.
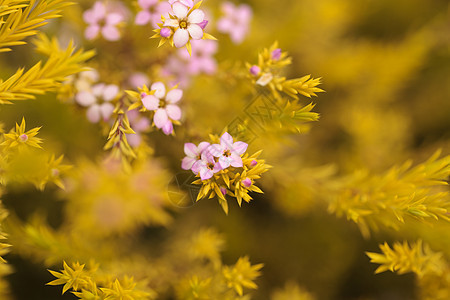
point(206, 159)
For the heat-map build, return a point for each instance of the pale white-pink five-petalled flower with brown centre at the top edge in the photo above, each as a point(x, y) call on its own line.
point(185, 24)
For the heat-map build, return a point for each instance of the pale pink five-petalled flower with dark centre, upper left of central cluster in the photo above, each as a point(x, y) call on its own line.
point(164, 106)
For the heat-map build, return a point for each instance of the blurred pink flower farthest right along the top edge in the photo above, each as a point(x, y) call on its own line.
point(236, 21)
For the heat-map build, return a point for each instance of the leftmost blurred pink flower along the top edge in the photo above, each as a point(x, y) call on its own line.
point(101, 21)
